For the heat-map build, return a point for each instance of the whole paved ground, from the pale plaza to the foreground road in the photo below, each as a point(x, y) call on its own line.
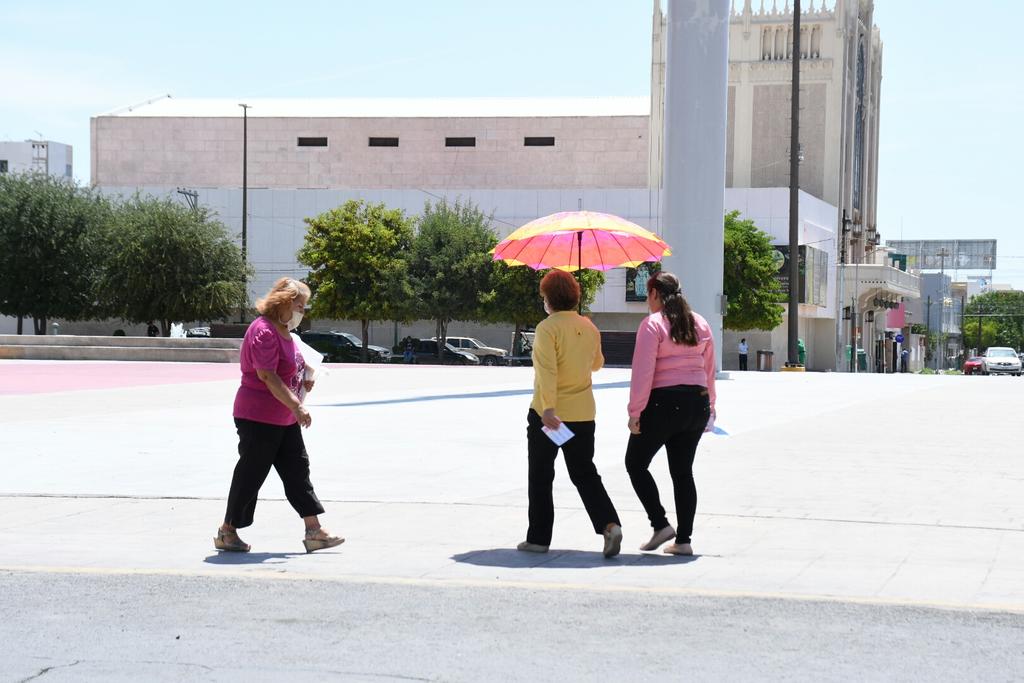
point(849, 528)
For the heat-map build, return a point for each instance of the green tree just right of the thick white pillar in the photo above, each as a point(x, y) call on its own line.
point(750, 277)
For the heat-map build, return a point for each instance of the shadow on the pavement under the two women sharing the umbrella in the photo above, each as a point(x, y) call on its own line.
point(565, 560)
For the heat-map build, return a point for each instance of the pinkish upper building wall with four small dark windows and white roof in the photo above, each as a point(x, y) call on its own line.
point(479, 144)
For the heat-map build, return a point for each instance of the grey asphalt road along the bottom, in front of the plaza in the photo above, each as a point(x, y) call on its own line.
point(163, 628)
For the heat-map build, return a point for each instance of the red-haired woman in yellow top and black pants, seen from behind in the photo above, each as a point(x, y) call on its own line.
point(567, 353)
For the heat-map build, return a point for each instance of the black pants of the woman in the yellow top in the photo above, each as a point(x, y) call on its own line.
point(579, 454)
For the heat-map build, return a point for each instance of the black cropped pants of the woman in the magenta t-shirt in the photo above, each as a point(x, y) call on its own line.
point(262, 447)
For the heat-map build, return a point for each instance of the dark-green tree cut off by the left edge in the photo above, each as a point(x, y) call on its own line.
point(52, 238)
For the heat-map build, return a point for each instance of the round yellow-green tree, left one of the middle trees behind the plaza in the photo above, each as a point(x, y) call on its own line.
point(357, 255)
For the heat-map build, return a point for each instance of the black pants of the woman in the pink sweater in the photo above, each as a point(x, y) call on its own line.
point(675, 418)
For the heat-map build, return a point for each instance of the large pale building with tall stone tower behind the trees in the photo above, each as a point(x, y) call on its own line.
point(523, 159)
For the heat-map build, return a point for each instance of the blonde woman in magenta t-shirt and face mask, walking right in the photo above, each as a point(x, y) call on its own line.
point(269, 416)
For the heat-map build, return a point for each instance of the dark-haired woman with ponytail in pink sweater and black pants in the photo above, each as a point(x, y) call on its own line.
point(672, 404)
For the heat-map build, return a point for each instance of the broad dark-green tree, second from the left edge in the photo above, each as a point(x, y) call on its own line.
point(168, 263)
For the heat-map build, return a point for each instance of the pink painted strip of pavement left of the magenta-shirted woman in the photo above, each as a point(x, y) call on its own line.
point(51, 377)
